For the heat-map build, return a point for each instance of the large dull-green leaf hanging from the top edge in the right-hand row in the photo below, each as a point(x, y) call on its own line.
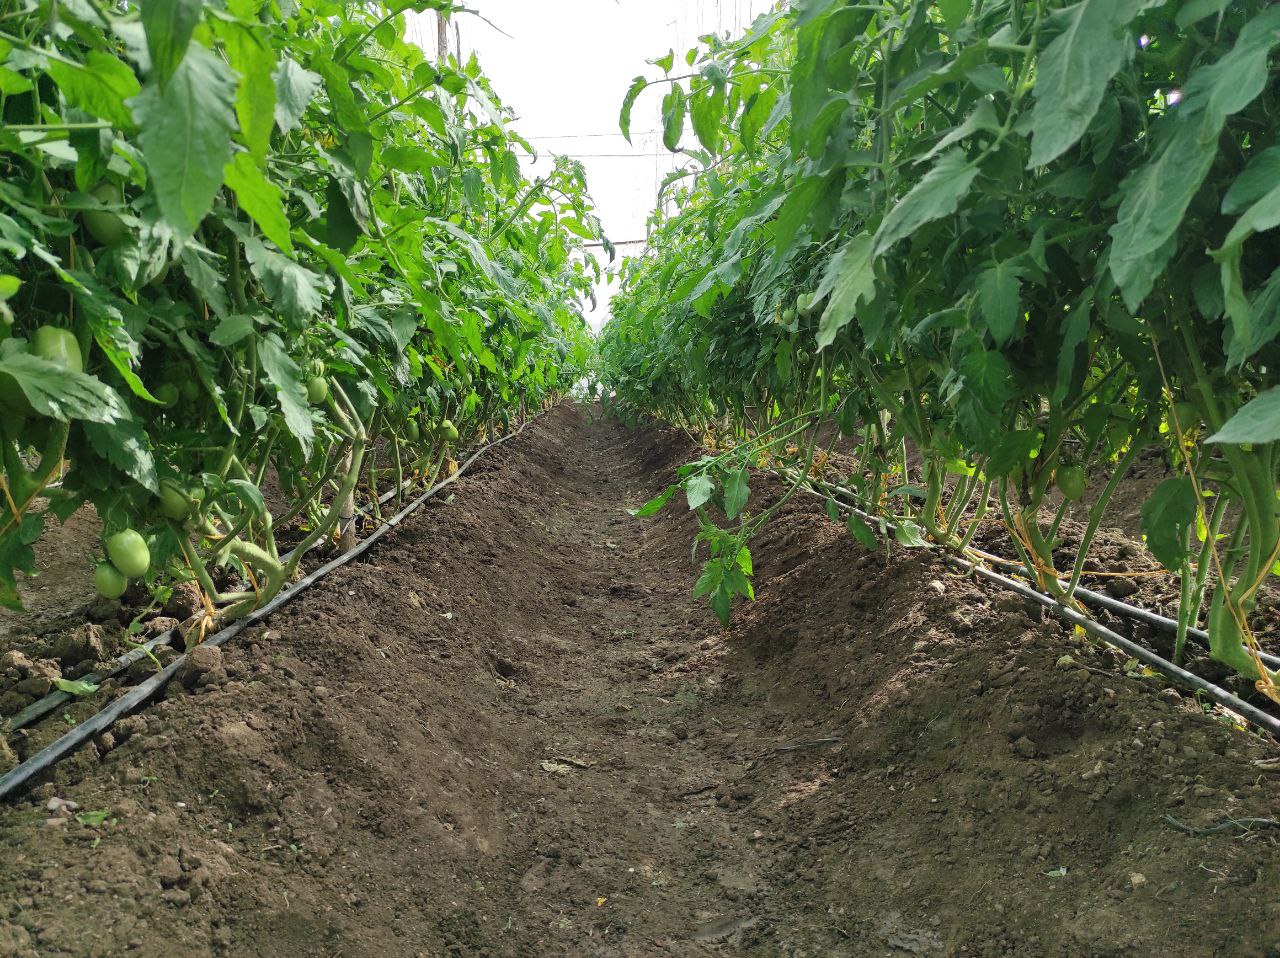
point(1075, 71)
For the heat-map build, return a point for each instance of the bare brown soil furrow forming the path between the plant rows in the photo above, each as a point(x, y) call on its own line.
point(510, 731)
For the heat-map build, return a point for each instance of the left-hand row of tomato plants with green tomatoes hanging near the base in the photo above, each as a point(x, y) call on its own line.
point(259, 261)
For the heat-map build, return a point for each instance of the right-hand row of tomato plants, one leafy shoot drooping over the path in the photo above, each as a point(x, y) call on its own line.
point(1002, 248)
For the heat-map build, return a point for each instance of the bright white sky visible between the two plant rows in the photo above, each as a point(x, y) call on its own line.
point(566, 67)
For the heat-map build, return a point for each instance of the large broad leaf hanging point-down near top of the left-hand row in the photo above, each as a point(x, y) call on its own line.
point(186, 136)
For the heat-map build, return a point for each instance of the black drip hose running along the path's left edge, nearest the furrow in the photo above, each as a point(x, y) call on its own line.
point(138, 696)
